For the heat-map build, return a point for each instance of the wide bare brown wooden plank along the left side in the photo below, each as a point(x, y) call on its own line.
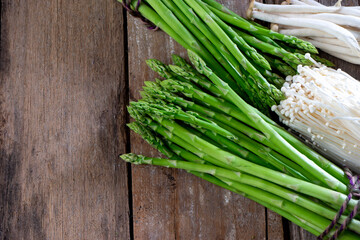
point(62, 126)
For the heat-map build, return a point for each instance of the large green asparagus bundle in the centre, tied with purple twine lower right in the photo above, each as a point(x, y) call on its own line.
point(204, 127)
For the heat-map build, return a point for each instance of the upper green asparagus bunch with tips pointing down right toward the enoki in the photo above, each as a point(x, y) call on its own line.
point(231, 46)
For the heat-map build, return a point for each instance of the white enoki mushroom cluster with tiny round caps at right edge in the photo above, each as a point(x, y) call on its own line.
point(323, 105)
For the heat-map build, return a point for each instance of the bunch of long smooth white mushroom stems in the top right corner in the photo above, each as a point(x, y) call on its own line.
point(335, 30)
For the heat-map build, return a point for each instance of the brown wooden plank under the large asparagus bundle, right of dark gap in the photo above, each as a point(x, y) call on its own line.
point(170, 204)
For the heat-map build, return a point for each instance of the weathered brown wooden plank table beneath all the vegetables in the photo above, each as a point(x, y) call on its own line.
point(68, 70)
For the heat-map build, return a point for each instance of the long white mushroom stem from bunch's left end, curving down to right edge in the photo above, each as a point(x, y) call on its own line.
point(331, 28)
